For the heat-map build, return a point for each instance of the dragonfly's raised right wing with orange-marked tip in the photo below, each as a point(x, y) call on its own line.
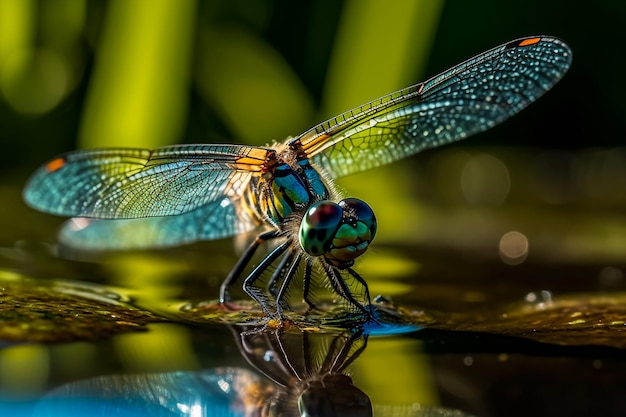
point(468, 98)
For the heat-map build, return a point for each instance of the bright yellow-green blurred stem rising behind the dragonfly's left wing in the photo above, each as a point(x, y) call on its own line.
point(139, 91)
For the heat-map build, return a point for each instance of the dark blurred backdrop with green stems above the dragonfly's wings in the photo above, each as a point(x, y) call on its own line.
point(76, 73)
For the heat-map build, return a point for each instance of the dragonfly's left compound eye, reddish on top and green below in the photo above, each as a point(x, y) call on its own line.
point(318, 227)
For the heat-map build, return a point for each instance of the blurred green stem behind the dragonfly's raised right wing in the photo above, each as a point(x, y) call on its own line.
point(380, 47)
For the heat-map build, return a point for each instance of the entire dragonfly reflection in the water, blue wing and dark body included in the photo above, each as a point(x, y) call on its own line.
point(303, 374)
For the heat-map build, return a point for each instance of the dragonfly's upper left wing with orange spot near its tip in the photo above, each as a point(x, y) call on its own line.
point(121, 183)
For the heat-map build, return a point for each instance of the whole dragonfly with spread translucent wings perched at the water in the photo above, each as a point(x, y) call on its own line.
point(123, 198)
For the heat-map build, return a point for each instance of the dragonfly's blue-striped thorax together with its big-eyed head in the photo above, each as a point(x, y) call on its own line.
point(294, 193)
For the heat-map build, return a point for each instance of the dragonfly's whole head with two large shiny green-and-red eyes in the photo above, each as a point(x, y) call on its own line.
point(340, 232)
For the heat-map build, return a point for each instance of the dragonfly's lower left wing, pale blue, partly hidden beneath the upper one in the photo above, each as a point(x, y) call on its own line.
point(218, 219)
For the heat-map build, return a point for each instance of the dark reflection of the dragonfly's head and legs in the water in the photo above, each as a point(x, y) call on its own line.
point(309, 371)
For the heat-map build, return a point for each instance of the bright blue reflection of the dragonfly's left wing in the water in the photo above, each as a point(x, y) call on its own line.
point(222, 392)
